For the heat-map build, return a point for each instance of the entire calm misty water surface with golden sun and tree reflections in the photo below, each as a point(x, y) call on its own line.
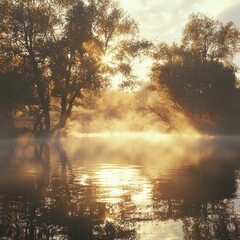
point(120, 188)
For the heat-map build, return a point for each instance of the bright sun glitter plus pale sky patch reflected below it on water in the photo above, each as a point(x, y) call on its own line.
point(124, 188)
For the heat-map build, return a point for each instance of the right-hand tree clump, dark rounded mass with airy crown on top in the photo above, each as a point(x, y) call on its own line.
point(199, 74)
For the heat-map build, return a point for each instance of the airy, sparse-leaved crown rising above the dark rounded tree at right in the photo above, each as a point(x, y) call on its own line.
point(213, 39)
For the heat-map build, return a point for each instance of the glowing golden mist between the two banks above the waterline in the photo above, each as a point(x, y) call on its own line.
point(146, 111)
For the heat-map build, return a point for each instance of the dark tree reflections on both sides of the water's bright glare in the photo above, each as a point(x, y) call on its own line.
point(55, 204)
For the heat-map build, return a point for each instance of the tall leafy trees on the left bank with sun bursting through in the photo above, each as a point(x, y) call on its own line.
point(66, 48)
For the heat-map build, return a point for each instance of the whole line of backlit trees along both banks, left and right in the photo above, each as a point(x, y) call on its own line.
point(55, 54)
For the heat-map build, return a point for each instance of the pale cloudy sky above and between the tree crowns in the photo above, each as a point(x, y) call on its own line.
point(164, 20)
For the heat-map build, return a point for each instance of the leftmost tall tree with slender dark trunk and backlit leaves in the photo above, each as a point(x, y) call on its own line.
point(26, 28)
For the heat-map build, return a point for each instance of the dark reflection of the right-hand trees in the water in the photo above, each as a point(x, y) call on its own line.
point(201, 198)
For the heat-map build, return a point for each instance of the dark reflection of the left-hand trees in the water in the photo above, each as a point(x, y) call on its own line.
point(53, 206)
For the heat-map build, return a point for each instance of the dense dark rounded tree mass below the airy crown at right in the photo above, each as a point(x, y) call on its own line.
point(199, 87)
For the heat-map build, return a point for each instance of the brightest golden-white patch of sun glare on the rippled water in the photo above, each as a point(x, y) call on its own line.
point(117, 182)
